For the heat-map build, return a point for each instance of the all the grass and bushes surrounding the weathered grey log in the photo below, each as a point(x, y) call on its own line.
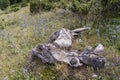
point(20, 32)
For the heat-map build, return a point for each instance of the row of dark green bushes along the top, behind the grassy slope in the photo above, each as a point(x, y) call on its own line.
point(102, 7)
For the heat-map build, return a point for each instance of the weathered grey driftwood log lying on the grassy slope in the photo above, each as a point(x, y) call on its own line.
point(58, 47)
